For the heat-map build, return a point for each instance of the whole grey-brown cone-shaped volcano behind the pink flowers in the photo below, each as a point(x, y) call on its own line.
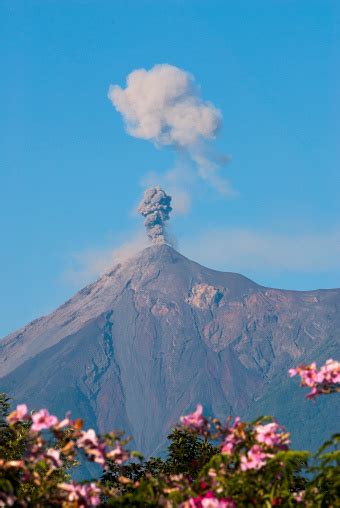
point(160, 333)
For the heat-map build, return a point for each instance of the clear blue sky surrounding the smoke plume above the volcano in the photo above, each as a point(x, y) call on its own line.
point(70, 175)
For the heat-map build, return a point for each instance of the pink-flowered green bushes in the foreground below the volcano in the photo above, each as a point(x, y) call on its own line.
point(210, 464)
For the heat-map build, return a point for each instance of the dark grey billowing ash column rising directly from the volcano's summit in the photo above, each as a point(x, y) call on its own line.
point(155, 207)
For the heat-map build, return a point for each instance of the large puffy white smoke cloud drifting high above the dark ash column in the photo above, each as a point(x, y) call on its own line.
point(163, 105)
